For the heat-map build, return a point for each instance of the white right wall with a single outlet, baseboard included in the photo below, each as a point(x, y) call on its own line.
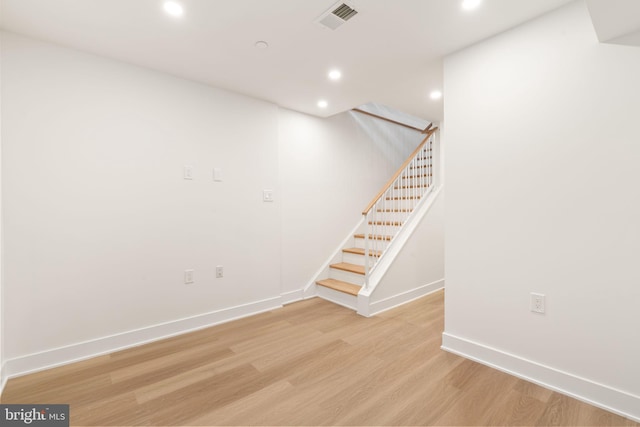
point(542, 196)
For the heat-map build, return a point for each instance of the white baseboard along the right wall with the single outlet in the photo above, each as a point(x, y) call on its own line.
point(591, 392)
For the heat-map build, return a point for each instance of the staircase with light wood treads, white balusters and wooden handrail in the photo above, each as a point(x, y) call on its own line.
point(383, 219)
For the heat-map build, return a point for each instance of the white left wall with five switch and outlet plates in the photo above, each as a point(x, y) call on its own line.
point(99, 222)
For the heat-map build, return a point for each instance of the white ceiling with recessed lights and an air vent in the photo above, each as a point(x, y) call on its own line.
point(390, 52)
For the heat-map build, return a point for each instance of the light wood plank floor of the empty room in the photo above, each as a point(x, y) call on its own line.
point(310, 363)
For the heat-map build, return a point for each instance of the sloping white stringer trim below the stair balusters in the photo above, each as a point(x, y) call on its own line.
point(400, 240)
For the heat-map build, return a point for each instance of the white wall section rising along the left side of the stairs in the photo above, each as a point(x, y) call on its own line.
point(330, 170)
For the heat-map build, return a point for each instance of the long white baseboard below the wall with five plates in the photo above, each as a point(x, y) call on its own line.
point(85, 350)
